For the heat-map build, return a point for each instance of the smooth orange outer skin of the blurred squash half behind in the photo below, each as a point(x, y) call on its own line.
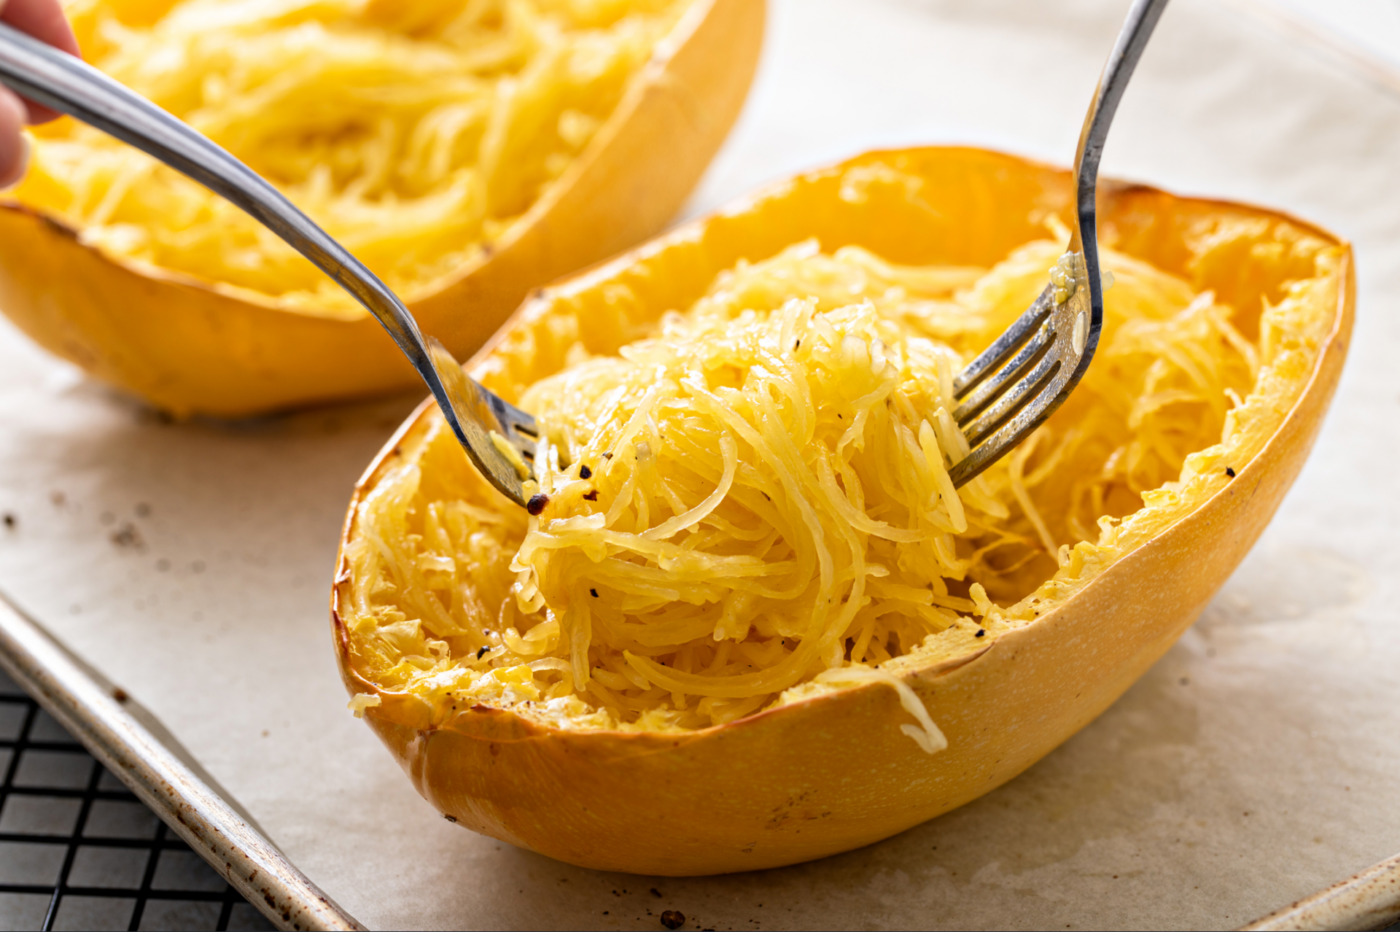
point(195, 348)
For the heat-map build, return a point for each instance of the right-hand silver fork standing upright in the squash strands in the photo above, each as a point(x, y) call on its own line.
point(1032, 367)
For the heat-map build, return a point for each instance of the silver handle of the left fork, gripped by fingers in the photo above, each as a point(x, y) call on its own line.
point(69, 86)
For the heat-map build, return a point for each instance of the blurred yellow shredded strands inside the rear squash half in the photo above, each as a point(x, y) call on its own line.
point(414, 131)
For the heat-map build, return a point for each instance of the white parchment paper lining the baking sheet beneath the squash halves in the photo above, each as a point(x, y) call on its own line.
point(1254, 766)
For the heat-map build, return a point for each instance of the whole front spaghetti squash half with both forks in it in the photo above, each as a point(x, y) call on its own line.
point(752, 556)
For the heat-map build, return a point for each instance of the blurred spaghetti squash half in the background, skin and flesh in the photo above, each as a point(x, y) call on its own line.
point(464, 150)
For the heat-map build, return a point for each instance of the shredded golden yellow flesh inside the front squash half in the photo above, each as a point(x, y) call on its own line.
point(748, 499)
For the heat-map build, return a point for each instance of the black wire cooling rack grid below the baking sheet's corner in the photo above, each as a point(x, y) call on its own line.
point(80, 852)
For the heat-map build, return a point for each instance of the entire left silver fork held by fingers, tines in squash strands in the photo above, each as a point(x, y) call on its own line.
point(66, 85)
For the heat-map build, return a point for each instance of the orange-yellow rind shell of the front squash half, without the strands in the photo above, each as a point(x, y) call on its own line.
point(834, 773)
